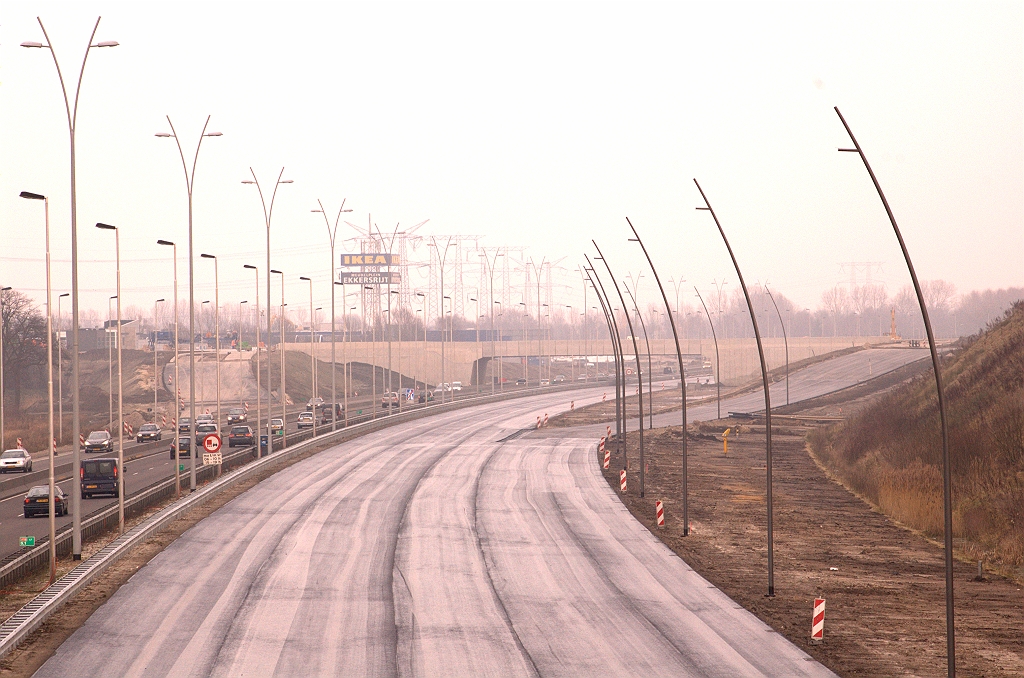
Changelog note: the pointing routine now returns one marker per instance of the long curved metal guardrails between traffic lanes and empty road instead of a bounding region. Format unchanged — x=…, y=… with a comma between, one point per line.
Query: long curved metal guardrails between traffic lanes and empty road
x=35, y=613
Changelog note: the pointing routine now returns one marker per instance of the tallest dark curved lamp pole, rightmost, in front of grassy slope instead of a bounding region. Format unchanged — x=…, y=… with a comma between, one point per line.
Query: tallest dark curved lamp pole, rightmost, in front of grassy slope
x=948, y=516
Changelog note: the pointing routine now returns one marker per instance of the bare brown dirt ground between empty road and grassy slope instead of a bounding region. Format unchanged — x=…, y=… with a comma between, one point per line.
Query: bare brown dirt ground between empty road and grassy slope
x=884, y=585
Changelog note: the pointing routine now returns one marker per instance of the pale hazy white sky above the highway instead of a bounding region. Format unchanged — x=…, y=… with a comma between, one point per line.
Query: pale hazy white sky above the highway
x=540, y=125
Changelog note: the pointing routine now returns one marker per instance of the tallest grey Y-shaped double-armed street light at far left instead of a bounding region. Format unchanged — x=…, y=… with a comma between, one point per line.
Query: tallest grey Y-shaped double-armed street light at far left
x=72, y=112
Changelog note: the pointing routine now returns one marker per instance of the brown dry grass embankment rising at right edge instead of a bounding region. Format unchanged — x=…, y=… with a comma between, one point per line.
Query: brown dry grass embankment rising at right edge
x=891, y=453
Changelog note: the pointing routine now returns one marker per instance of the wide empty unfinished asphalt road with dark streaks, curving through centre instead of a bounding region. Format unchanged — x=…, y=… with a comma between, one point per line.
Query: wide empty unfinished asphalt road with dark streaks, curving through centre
x=434, y=548
